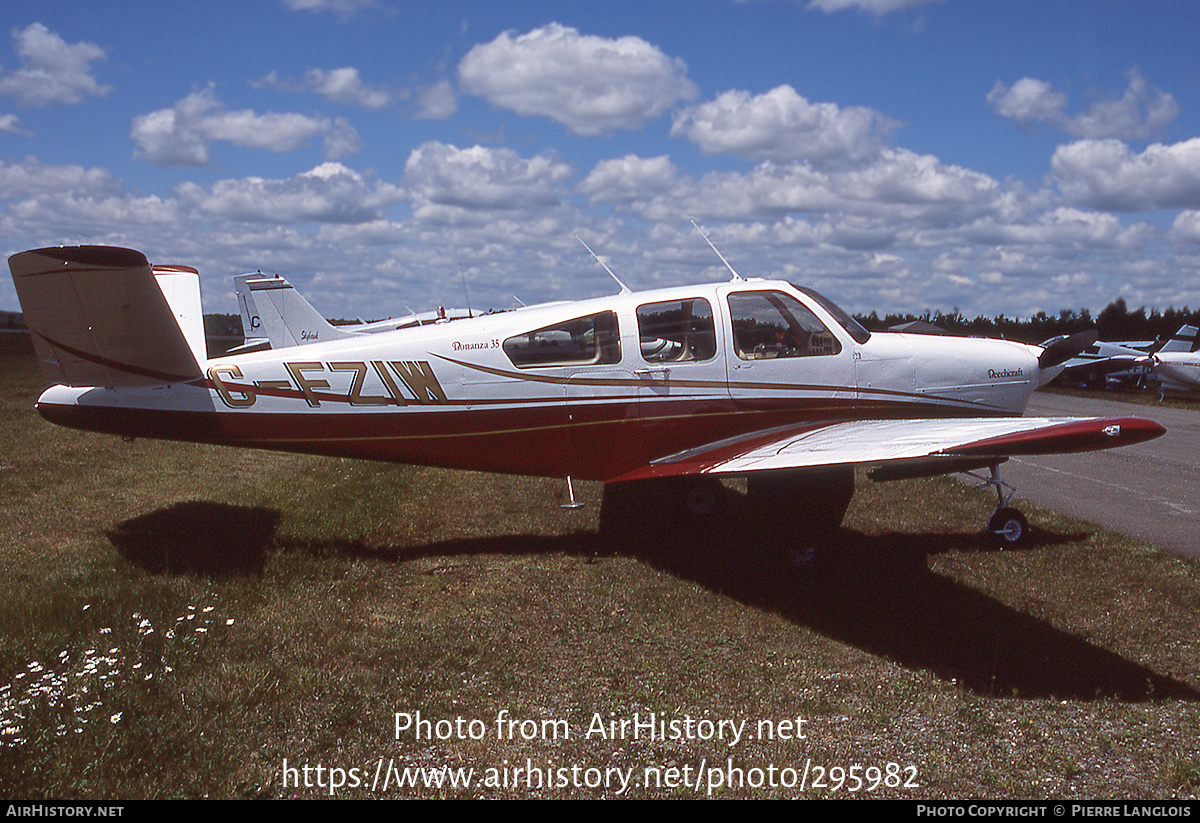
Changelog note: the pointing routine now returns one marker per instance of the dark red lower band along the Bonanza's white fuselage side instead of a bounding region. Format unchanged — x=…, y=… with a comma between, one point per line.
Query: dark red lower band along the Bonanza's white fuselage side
x=601, y=441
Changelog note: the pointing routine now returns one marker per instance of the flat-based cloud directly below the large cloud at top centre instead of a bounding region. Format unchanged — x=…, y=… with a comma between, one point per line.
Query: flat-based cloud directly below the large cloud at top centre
x=479, y=178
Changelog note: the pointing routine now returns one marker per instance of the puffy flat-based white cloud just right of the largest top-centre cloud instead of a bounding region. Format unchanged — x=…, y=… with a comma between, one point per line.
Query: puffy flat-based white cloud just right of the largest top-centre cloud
x=782, y=125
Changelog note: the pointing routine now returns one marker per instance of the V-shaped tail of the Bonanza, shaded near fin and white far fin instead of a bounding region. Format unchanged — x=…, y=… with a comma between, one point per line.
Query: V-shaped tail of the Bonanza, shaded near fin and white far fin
x=103, y=317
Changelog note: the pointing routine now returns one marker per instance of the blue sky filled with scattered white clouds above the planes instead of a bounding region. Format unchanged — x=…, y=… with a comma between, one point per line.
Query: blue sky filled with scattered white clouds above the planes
x=898, y=155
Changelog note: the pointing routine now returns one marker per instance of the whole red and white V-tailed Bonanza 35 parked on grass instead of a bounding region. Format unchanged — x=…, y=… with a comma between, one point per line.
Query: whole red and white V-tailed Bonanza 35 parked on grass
x=683, y=387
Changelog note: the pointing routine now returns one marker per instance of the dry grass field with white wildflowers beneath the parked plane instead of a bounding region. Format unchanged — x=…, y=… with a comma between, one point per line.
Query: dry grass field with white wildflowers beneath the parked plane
x=182, y=621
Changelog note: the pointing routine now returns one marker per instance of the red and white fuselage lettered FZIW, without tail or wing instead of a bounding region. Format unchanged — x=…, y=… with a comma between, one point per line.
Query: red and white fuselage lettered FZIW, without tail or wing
x=591, y=389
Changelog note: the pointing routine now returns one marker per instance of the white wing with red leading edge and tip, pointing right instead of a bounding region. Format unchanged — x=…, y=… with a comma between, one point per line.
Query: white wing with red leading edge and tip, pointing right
x=902, y=448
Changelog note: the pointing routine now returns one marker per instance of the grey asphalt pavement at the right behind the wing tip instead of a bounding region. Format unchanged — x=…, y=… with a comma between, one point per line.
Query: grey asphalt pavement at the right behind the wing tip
x=1149, y=491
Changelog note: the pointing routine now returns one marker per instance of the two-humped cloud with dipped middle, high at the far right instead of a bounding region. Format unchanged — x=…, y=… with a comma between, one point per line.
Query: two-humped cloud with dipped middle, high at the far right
x=1141, y=112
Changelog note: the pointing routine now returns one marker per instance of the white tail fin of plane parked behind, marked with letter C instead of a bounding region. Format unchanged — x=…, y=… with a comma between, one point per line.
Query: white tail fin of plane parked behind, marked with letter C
x=272, y=309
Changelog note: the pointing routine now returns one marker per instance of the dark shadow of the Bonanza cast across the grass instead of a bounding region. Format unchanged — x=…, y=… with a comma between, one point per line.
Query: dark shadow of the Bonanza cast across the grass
x=873, y=592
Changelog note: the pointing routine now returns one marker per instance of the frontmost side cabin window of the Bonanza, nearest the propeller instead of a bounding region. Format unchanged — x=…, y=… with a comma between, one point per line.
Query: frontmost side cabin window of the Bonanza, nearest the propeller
x=772, y=325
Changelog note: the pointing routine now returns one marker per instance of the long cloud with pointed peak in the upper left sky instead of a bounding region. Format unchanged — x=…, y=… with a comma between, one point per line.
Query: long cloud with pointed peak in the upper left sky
x=181, y=136
